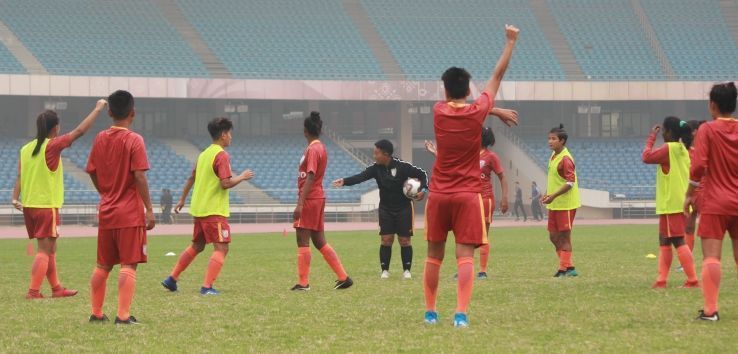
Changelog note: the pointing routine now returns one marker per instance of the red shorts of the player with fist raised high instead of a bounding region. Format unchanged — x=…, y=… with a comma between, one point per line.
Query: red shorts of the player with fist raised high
x=462, y=213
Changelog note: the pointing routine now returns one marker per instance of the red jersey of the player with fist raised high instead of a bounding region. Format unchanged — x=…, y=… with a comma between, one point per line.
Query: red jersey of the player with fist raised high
x=458, y=131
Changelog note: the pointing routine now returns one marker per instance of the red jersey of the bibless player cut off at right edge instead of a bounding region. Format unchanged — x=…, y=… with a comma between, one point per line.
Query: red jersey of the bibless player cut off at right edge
x=715, y=166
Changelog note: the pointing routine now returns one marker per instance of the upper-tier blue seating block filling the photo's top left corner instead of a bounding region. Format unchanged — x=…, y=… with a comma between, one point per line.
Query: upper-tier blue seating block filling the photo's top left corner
x=112, y=38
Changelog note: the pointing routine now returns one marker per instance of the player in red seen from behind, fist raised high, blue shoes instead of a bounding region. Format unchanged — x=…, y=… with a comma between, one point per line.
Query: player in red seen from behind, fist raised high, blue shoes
x=455, y=202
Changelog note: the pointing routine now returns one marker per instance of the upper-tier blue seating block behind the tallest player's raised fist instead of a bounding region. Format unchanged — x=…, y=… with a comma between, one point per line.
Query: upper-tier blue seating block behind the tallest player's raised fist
x=424, y=46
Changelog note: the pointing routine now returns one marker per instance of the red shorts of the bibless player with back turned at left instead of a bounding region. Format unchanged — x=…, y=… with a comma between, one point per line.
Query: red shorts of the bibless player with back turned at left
x=121, y=246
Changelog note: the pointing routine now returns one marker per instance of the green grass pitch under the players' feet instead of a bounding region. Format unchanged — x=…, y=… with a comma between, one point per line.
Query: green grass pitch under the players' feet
x=609, y=307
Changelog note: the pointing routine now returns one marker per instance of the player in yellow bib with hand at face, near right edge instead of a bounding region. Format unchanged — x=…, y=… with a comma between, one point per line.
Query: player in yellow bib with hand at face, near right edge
x=672, y=178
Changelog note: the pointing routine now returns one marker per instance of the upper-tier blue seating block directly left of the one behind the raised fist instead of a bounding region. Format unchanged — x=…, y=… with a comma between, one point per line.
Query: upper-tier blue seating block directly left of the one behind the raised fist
x=252, y=39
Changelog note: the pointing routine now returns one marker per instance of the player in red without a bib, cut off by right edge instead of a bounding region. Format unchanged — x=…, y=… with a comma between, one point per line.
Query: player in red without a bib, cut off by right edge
x=715, y=168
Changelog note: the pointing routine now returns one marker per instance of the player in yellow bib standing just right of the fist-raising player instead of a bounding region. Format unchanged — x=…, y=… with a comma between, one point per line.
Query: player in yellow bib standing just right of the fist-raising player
x=561, y=199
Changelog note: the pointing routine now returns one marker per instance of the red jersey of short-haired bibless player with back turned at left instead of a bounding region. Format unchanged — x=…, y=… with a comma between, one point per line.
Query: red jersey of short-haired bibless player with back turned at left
x=116, y=154
